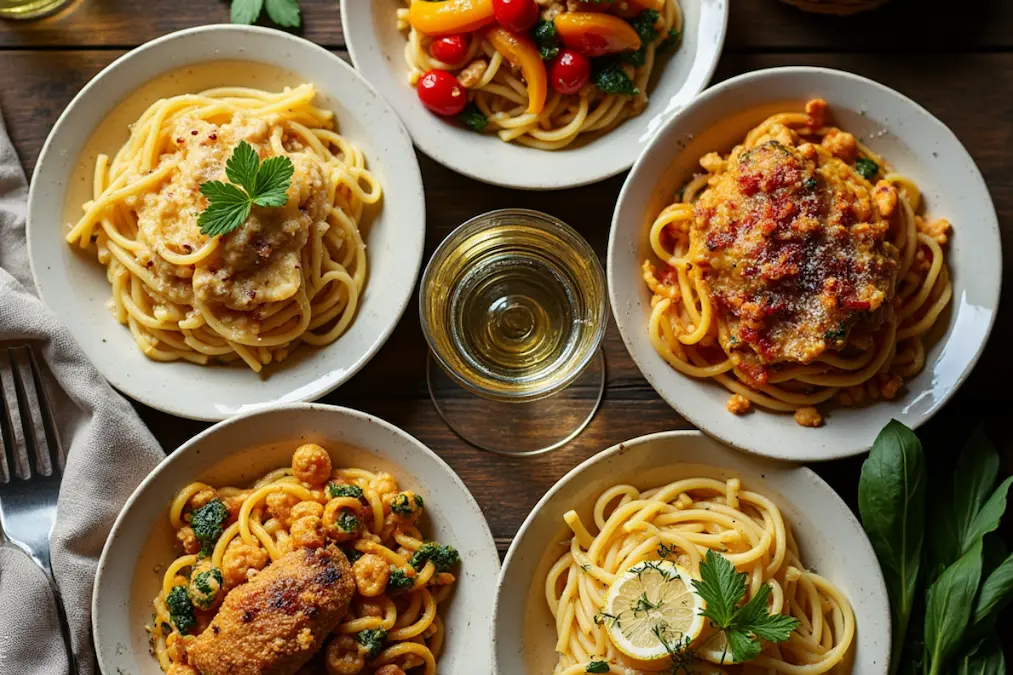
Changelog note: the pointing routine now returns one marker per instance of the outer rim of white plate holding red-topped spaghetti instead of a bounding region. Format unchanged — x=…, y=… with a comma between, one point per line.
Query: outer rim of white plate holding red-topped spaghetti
x=720, y=90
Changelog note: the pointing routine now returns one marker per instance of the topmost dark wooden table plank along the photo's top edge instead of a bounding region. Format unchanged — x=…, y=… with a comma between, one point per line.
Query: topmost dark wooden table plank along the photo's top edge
x=902, y=26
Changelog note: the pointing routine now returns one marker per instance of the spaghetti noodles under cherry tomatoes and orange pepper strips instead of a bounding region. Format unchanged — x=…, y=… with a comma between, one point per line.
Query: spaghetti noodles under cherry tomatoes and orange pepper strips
x=507, y=81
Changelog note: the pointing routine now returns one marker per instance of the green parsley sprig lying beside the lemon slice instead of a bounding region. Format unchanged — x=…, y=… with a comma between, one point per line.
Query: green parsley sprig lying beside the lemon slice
x=723, y=589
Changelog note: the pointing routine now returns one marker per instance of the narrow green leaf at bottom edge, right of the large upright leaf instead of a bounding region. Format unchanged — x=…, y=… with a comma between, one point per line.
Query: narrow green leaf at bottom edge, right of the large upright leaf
x=949, y=605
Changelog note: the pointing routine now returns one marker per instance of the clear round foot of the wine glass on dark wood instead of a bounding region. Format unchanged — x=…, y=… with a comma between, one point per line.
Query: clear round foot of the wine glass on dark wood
x=518, y=429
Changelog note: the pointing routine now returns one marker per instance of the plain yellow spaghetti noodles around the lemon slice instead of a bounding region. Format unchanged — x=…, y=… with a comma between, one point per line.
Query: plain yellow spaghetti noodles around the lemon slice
x=682, y=521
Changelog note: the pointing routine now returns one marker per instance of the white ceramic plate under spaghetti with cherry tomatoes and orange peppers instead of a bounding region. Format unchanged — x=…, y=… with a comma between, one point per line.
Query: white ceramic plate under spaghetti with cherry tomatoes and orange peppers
x=377, y=49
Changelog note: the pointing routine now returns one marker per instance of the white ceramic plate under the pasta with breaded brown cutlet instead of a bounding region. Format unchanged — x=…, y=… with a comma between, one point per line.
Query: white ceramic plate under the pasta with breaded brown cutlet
x=241, y=451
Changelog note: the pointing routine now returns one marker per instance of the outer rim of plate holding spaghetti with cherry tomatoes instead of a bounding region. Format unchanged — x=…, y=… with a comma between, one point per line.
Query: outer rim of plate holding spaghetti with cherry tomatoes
x=427, y=144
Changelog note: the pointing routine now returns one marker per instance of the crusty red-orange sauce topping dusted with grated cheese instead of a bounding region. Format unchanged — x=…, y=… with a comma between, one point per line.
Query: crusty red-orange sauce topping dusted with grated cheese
x=794, y=254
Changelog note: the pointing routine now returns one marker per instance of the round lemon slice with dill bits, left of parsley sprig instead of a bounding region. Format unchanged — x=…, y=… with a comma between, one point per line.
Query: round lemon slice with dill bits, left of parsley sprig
x=653, y=606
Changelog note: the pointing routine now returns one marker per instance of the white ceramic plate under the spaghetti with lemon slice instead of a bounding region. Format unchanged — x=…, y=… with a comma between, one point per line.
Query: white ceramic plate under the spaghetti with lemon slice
x=831, y=542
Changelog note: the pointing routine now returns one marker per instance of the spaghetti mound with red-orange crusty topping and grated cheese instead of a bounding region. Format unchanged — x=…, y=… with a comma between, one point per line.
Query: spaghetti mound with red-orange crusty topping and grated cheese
x=798, y=270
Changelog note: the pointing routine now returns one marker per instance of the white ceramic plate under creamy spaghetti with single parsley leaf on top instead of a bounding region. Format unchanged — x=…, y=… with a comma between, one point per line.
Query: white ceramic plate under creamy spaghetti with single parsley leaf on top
x=75, y=286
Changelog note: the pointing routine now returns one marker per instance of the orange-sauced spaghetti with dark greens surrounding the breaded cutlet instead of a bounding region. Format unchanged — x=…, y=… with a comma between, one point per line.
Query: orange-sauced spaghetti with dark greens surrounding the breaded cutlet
x=401, y=578
